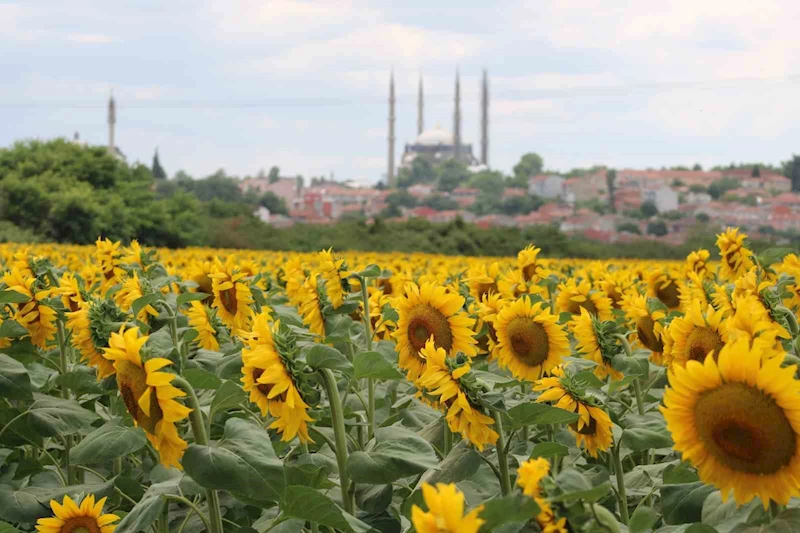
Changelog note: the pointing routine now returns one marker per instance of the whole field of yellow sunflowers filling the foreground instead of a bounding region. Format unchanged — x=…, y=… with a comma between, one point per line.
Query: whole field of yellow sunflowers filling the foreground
x=200, y=390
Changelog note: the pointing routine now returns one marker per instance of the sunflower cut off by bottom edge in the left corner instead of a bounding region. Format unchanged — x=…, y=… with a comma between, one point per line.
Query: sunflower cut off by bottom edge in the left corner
x=69, y=517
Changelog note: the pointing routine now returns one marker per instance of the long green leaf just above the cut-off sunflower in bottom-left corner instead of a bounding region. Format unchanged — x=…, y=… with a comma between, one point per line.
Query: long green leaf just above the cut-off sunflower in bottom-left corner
x=31, y=503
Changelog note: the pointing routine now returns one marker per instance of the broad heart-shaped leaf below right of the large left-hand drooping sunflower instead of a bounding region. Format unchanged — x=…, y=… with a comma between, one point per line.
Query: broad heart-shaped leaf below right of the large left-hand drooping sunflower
x=243, y=462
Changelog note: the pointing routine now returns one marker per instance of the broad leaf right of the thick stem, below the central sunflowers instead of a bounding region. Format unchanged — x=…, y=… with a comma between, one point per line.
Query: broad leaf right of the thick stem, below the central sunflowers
x=398, y=453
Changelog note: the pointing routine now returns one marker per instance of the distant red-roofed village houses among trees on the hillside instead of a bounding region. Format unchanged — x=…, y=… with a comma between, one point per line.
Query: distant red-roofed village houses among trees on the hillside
x=679, y=199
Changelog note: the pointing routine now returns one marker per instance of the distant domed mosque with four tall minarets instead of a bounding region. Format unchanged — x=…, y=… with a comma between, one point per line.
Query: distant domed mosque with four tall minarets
x=437, y=144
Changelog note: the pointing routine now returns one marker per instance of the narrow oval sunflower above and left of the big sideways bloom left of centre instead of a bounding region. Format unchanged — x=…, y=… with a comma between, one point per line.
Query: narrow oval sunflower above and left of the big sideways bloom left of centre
x=232, y=296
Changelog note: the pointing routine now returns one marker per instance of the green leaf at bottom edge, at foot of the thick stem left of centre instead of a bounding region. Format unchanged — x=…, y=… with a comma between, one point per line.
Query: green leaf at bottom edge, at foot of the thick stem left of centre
x=311, y=505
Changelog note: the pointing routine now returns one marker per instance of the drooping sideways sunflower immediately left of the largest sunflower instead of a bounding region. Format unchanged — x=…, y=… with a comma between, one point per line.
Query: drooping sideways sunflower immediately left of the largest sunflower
x=593, y=427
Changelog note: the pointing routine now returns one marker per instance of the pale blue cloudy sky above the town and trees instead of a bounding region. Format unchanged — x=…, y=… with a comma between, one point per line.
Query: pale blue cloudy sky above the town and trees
x=246, y=85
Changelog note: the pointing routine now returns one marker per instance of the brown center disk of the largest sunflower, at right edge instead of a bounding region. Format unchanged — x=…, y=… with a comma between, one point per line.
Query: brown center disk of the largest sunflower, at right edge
x=745, y=429
